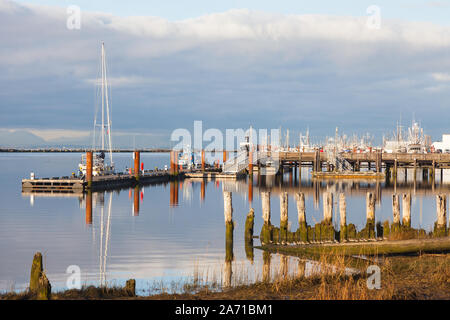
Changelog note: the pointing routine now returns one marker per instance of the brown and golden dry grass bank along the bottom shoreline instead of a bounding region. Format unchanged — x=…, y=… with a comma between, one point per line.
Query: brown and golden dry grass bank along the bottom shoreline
x=424, y=276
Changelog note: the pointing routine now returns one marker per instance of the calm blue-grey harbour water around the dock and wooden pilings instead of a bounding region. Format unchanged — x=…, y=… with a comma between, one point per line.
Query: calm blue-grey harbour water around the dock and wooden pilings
x=168, y=240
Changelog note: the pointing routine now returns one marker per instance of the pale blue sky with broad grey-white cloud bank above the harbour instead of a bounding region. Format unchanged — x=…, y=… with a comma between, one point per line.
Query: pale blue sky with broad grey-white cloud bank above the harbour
x=232, y=64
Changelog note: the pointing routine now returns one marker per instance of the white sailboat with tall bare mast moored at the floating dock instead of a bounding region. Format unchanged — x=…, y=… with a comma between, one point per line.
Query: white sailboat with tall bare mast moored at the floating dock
x=99, y=167
